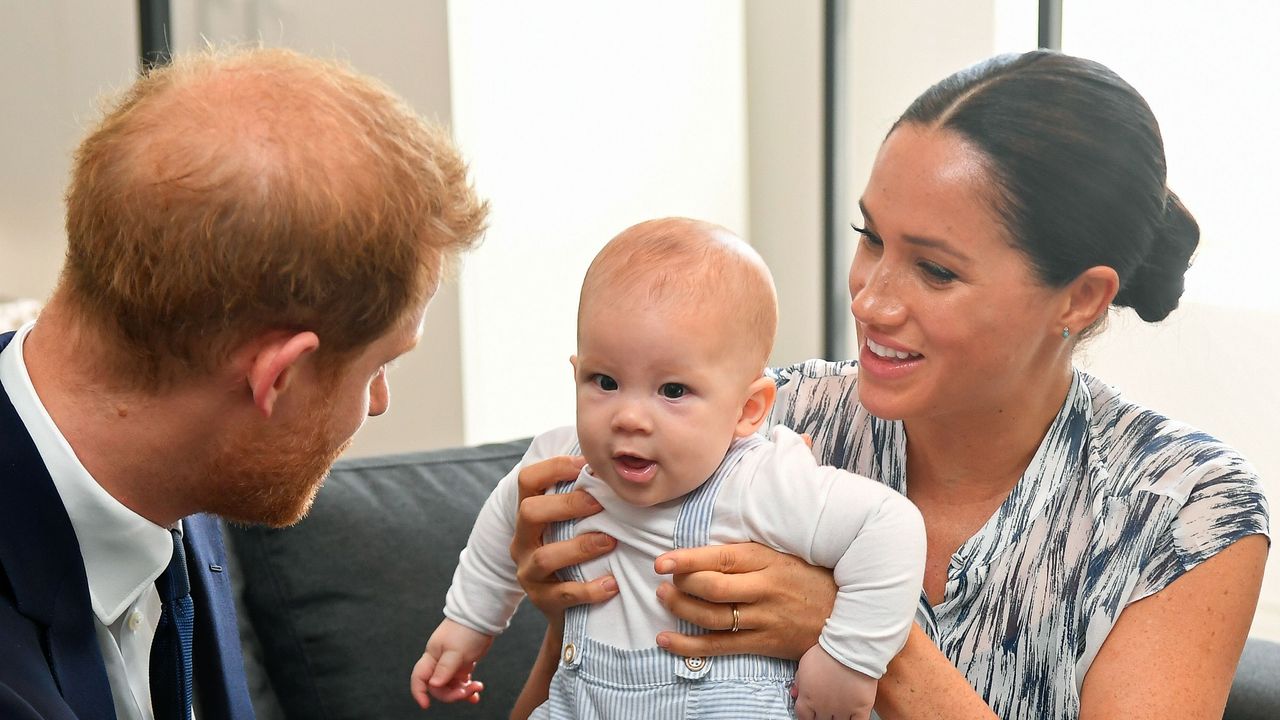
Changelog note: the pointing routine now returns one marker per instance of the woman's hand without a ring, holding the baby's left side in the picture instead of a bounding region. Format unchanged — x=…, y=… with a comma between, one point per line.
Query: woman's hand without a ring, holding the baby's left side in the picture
x=537, y=563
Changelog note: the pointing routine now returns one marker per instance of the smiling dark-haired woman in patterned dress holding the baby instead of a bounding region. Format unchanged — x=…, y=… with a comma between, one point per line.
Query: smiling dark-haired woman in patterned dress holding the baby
x=1087, y=558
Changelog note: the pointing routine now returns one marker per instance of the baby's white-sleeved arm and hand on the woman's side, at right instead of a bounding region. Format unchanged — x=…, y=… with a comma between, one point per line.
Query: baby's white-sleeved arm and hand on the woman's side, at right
x=871, y=536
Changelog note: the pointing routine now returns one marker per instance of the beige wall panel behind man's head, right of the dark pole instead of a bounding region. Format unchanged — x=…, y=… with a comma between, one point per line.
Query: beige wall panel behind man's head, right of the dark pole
x=404, y=44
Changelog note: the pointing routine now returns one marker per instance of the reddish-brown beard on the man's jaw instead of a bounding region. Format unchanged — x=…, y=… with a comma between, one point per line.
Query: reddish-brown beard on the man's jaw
x=272, y=481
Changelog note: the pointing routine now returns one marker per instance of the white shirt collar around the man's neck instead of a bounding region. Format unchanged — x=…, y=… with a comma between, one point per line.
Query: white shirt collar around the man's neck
x=124, y=552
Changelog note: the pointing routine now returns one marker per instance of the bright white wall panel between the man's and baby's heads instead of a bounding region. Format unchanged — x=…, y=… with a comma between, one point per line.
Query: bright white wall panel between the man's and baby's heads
x=580, y=119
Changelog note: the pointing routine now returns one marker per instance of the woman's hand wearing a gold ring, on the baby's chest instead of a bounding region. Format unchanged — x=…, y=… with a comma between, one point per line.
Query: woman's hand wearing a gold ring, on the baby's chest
x=781, y=601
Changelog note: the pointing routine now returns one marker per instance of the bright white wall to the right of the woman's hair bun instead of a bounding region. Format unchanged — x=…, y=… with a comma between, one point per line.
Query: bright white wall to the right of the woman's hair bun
x=1214, y=94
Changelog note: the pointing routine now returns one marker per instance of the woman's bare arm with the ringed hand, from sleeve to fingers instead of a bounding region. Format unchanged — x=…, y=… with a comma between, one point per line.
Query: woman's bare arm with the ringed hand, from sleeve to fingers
x=1172, y=655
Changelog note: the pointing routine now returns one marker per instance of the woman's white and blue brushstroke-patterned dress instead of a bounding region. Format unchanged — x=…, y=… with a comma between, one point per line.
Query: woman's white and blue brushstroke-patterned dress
x=1117, y=504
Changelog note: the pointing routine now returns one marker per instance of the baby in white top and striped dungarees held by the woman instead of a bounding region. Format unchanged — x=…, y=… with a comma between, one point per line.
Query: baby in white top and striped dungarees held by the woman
x=676, y=322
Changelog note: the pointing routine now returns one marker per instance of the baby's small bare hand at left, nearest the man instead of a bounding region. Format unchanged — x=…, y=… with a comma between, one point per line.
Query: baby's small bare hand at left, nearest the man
x=445, y=671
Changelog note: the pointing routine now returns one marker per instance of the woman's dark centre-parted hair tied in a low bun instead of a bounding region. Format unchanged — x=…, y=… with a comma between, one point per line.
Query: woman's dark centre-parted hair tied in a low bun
x=1080, y=168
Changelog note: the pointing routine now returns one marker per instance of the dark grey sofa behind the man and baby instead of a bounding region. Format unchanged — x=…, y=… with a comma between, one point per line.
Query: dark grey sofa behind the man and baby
x=335, y=610
